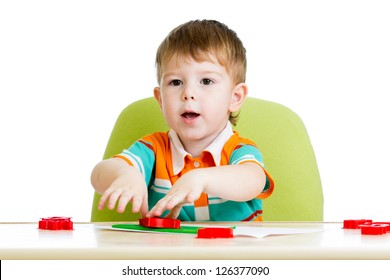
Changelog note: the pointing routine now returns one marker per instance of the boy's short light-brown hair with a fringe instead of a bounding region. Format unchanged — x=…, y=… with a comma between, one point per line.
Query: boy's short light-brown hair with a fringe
x=198, y=39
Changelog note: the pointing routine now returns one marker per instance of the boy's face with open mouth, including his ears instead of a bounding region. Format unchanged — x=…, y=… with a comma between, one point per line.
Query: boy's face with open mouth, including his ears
x=197, y=98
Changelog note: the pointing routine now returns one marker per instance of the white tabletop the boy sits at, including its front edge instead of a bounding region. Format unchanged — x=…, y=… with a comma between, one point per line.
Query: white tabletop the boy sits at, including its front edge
x=94, y=241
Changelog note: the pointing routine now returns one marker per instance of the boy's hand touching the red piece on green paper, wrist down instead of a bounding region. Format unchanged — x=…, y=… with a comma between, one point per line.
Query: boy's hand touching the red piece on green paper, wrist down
x=187, y=189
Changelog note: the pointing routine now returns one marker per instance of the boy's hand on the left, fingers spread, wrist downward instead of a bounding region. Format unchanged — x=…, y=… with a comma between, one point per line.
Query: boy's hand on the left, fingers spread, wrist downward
x=122, y=191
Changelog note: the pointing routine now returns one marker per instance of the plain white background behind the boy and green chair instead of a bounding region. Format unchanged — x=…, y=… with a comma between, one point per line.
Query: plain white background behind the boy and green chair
x=67, y=69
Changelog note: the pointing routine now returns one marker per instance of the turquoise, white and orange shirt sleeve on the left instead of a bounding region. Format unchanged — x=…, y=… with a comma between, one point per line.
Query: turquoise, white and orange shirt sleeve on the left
x=140, y=155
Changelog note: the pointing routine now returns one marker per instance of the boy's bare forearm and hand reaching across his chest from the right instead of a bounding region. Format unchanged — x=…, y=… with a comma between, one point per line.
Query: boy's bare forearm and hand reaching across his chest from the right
x=241, y=182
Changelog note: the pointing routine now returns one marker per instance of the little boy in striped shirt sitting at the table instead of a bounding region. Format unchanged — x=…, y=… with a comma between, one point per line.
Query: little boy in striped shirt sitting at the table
x=200, y=170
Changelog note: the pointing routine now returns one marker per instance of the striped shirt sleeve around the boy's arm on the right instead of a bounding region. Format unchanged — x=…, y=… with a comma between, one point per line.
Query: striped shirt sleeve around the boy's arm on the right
x=250, y=153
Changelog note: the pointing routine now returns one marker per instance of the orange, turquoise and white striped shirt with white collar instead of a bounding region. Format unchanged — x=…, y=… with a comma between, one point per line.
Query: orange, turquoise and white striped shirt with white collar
x=161, y=158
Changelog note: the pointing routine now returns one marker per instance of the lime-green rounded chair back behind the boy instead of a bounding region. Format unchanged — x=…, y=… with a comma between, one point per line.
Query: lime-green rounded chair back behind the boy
x=279, y=133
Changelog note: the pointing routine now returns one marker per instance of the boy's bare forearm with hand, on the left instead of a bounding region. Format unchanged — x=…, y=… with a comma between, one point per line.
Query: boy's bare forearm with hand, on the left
x=120, y=182
